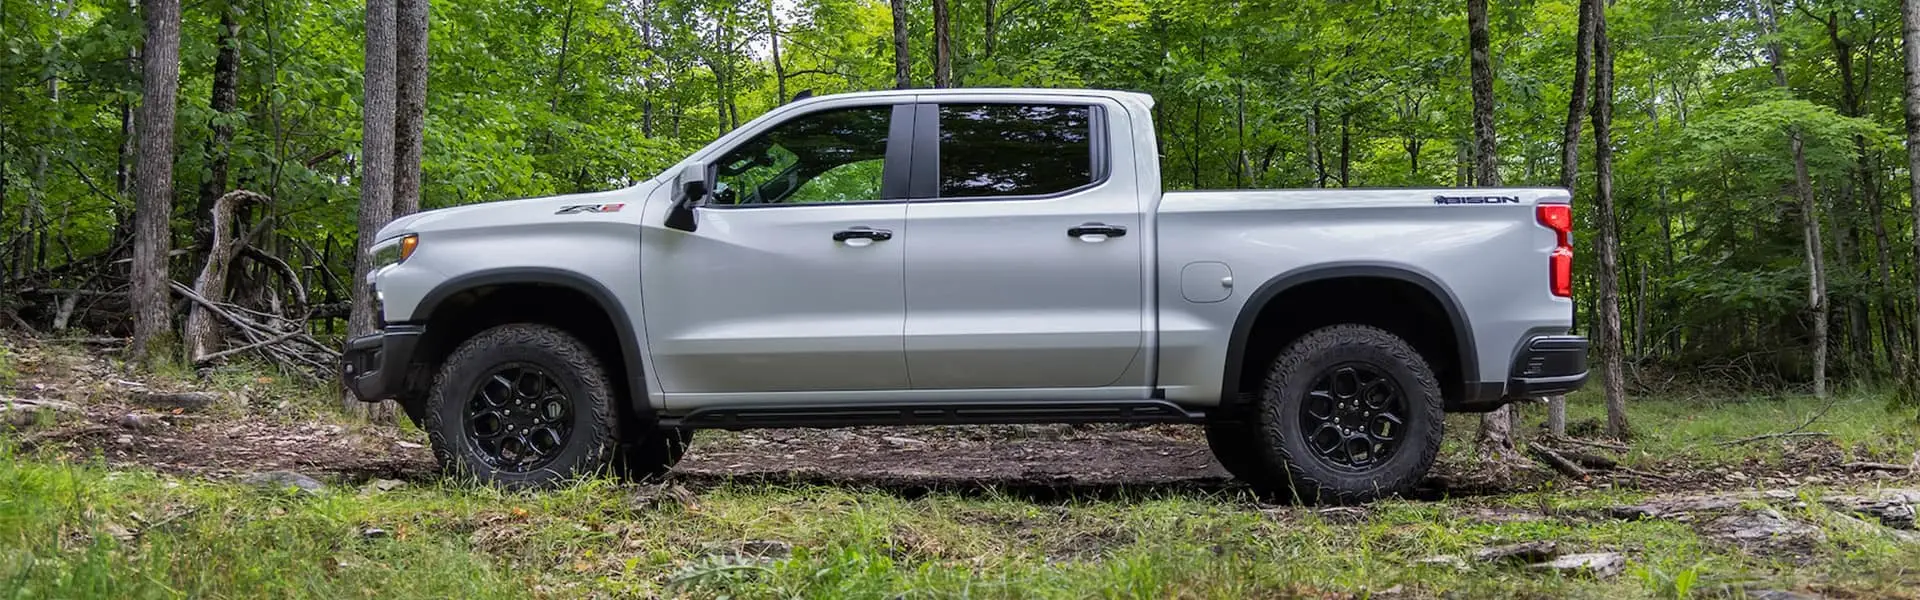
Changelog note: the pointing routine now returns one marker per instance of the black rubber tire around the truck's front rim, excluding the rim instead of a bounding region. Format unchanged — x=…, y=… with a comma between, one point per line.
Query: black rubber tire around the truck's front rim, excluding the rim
x=571, y=364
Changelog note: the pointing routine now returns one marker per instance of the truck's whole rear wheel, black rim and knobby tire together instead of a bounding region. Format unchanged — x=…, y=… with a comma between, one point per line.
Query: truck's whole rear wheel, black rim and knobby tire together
x=1349, y=414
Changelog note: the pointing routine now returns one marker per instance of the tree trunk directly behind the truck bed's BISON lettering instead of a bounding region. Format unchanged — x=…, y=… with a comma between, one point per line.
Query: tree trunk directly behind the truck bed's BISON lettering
x=1497, y=428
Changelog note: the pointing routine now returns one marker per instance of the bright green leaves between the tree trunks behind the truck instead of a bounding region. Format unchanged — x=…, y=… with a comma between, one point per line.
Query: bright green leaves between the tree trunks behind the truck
x=533, y=99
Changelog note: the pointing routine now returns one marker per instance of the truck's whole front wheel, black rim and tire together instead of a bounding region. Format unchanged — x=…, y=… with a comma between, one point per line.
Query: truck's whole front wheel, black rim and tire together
x=523, y=407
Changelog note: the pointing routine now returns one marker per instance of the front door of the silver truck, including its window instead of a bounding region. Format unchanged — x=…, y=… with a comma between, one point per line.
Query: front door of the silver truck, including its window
x=792, y=280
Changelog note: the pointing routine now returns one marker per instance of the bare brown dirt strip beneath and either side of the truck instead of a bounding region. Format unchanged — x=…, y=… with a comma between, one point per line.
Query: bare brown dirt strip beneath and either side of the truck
x=239, y=436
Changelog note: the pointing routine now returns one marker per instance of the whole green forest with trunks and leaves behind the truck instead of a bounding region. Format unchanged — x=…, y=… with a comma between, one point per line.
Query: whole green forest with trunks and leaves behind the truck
x=1739, y=166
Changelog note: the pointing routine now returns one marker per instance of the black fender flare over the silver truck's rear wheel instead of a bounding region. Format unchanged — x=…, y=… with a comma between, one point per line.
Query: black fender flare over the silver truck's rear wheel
x=1243, y=326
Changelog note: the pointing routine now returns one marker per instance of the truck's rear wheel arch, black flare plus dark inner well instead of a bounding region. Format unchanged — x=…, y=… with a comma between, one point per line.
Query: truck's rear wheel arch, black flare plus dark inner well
x=1466, y=370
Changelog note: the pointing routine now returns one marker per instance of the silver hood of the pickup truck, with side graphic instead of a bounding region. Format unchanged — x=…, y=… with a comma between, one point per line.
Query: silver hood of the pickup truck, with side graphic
x=521, y=212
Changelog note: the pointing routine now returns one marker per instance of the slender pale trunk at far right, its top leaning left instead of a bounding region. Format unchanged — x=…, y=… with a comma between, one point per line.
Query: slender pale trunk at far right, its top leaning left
x=1810, y=211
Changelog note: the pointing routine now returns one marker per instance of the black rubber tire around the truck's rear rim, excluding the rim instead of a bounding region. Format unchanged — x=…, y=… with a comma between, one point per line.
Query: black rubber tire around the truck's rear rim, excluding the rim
x=1289, y=459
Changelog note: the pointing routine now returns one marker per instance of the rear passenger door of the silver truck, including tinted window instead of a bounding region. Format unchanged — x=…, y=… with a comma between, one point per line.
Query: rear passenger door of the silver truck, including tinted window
x=1026, y=261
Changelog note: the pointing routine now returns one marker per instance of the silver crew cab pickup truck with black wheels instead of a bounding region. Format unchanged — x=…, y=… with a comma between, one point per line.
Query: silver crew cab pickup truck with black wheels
x=969, y=257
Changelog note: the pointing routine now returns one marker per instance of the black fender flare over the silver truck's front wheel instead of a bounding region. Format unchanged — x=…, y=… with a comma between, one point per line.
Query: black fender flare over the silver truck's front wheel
x=564, y=280
